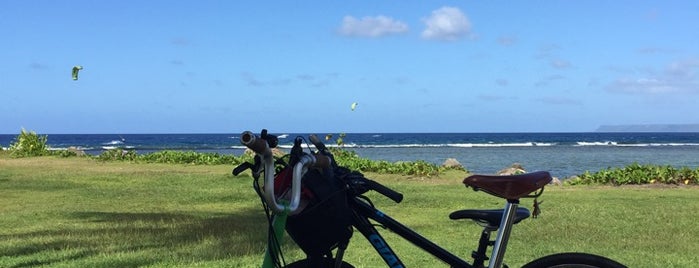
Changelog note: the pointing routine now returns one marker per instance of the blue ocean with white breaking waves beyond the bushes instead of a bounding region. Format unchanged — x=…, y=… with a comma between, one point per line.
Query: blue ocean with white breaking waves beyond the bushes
x=562, y=154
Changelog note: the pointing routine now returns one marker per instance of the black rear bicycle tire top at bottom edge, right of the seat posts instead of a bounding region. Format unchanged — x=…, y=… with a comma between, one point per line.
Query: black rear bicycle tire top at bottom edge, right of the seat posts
x=573, y=260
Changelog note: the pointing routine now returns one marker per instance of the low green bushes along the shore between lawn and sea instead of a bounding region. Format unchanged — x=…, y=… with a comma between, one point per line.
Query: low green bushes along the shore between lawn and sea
x=28, y=144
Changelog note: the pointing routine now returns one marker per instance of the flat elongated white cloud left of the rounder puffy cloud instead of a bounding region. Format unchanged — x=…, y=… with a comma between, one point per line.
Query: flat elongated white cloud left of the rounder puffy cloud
x=371, y=26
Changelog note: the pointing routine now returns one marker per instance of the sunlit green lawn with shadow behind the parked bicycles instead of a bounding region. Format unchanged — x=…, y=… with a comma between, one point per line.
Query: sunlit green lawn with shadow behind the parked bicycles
x=79, y=212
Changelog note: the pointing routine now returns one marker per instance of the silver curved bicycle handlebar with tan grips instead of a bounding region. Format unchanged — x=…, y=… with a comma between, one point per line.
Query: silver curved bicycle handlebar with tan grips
x=261, y=148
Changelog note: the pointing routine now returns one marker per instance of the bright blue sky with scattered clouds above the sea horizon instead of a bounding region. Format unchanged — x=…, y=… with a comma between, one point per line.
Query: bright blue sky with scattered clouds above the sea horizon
x=297, y=66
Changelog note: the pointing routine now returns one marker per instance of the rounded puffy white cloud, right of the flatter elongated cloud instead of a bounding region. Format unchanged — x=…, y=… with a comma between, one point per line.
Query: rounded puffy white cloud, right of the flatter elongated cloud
x=446, y=23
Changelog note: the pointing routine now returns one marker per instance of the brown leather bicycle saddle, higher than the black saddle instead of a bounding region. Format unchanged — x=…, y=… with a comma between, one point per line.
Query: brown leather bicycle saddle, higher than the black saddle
x=511, y=187
